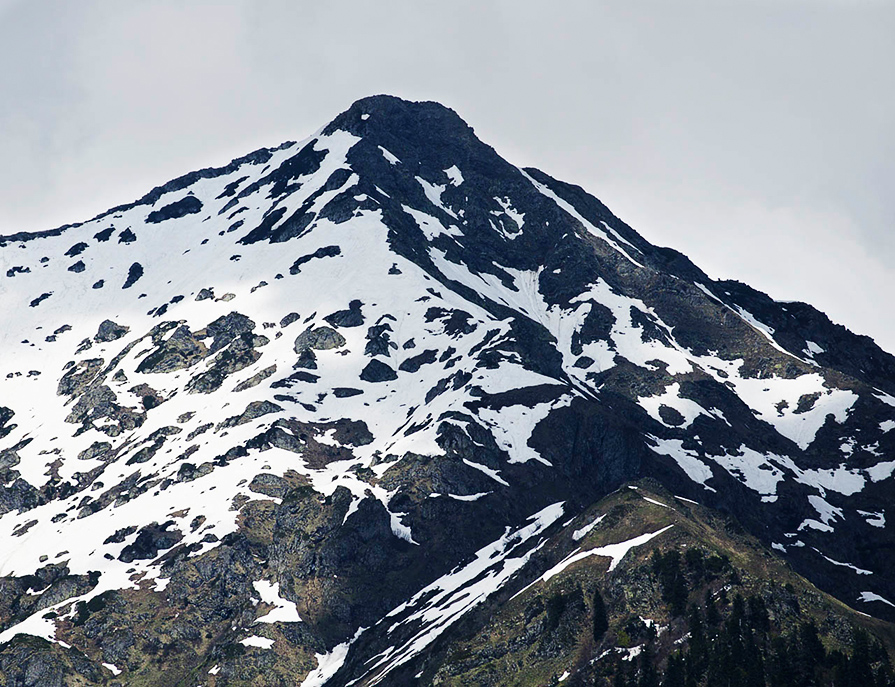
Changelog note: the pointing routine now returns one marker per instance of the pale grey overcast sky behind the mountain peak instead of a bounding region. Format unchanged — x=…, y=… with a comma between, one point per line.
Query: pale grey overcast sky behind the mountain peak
x=757, y=137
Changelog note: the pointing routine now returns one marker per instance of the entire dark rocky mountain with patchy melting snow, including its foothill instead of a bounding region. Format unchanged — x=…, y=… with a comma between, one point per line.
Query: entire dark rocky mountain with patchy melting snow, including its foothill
x=328, y=414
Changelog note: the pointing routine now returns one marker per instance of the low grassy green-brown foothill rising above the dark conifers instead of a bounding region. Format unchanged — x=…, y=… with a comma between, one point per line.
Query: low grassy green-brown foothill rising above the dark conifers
x=547, y=631
